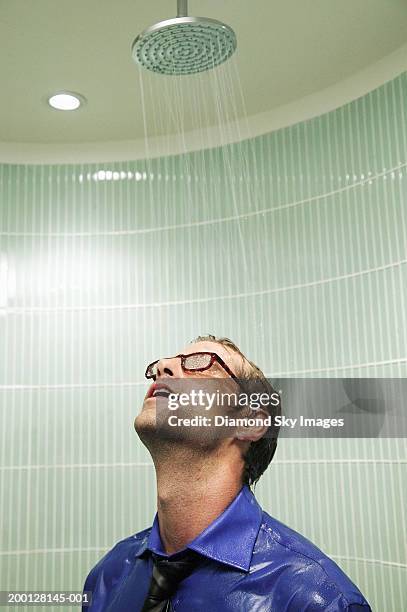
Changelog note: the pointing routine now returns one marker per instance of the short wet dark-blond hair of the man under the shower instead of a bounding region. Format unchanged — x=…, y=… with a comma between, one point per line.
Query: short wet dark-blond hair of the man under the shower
x=261, y=452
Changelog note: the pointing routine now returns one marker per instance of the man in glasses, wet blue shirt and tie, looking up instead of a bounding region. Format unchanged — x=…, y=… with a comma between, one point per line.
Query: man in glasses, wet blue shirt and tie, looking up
x=211, y=547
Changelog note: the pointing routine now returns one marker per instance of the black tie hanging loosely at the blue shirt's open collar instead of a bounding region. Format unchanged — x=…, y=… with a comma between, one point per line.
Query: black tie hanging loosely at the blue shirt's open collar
x=167, y=574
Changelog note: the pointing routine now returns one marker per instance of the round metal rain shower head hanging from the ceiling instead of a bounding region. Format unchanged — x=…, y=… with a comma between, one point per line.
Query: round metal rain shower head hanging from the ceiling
x=184, y=45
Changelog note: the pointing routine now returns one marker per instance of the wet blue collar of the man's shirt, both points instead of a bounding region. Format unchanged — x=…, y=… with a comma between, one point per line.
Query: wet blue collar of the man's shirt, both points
x=230, y=538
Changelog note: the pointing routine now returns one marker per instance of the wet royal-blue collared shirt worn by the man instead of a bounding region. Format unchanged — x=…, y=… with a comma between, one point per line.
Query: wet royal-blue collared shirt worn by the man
x=251, y=562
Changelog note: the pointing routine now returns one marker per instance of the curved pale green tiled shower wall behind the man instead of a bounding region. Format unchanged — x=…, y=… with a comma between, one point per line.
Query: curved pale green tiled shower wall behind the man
x=293, y=244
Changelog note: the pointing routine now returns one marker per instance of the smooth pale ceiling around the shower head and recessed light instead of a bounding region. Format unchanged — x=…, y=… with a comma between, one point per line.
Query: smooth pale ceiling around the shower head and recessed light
x=287, y=49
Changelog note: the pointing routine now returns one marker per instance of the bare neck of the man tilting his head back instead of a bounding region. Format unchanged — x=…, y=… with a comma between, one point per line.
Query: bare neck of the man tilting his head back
x=192, y=491
